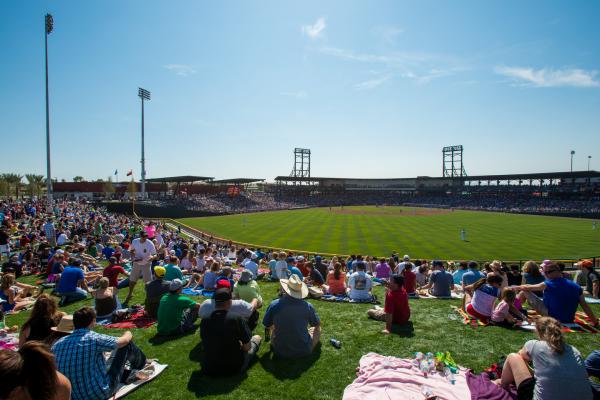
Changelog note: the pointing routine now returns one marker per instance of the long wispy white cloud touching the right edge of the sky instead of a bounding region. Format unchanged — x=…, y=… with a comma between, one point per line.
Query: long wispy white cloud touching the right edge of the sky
x=568, y=77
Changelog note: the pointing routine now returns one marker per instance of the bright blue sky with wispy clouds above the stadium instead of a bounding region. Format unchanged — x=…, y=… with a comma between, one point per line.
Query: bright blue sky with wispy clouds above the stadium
x=373, y=88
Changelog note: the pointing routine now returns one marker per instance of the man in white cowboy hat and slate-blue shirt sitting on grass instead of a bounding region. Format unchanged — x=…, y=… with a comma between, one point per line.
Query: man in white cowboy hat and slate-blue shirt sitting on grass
x=289, y=319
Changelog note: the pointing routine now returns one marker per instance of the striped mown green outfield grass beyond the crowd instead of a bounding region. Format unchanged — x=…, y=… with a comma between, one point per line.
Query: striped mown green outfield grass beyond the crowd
x=414, y=231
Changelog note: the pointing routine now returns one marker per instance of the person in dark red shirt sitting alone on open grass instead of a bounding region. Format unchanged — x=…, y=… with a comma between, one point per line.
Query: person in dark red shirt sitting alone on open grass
x=396, y=311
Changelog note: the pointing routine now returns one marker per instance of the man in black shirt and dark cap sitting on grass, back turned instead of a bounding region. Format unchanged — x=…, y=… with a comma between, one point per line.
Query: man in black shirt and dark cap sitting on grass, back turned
x=226, y=338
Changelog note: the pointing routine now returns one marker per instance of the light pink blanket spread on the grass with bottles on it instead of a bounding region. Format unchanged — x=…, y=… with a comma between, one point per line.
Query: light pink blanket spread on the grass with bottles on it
x=387, y=378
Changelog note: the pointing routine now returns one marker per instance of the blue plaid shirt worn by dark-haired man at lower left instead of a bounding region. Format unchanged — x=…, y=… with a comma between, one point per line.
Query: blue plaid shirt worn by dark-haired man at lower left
x=80, y=358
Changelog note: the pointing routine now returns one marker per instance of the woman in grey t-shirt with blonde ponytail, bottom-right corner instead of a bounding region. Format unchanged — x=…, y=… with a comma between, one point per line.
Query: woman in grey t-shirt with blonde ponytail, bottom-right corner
x=558, y=370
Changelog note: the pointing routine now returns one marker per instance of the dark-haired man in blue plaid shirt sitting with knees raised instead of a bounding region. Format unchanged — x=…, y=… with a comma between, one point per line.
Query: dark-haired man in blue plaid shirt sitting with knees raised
x=80, y=357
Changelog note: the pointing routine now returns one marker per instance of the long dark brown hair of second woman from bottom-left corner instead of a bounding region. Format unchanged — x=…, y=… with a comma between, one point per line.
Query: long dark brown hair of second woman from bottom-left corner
x=38, y=370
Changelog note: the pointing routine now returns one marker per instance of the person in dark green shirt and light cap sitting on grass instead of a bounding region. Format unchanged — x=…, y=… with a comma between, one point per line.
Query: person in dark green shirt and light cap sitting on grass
x=176, y=313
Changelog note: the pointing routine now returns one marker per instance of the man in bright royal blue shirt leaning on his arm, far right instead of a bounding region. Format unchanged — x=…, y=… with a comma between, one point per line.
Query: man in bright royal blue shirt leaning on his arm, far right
x=561, y=297
